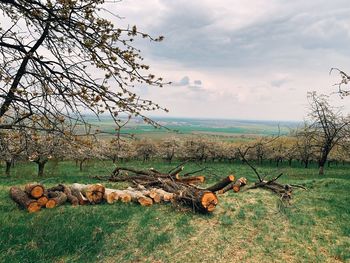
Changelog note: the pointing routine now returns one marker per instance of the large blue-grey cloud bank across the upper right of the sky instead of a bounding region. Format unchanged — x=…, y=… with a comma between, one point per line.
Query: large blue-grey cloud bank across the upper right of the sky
x=291, y=35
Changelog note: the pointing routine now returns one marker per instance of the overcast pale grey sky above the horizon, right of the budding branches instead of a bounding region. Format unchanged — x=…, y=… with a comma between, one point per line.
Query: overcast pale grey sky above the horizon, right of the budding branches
x=254, y=59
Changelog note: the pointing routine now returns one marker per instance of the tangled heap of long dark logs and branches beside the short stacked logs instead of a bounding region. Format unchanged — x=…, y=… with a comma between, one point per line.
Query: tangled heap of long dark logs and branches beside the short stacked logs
x=172, y=186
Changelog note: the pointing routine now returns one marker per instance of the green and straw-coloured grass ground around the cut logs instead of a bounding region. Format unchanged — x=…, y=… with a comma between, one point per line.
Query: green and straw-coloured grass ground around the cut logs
x=250, y=226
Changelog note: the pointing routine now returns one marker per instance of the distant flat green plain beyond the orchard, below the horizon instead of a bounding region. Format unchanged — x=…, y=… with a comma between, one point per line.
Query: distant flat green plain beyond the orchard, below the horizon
x=182, y=127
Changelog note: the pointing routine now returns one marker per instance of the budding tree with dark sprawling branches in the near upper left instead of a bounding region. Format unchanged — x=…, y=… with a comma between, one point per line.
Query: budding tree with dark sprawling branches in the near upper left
x=58, y=57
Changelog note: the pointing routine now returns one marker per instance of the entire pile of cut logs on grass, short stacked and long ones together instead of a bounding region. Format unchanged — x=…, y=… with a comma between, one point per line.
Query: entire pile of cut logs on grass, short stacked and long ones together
x=146, y=190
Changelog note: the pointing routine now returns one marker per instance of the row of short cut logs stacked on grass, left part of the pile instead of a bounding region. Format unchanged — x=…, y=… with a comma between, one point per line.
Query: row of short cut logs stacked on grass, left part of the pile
x=35, y=196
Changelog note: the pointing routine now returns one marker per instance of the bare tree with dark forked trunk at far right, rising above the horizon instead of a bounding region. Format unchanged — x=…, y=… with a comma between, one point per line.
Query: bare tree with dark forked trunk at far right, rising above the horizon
x=329, y=124
